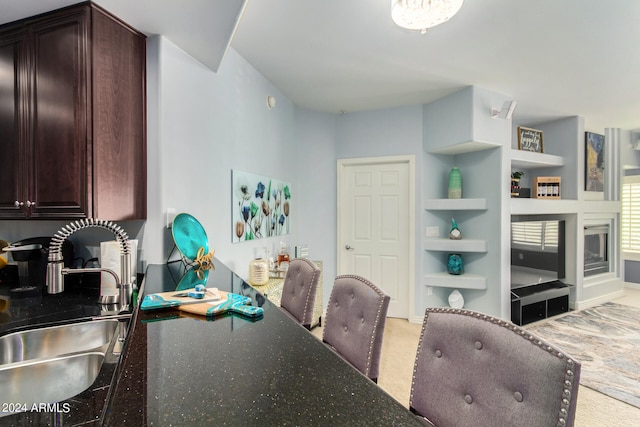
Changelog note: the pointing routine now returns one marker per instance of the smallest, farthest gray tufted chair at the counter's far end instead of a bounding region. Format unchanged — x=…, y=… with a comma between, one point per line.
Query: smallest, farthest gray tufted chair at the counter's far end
x=299, y=290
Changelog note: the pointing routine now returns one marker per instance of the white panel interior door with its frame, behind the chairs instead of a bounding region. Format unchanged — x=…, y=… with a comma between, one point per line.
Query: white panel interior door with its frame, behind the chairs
x=375, y=225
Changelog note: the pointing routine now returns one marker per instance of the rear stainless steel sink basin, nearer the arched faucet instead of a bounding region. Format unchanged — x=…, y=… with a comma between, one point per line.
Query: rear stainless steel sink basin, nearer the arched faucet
x=56, y=340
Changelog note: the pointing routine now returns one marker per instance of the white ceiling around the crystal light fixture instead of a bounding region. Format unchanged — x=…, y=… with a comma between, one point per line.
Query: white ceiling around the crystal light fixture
x=555, y=58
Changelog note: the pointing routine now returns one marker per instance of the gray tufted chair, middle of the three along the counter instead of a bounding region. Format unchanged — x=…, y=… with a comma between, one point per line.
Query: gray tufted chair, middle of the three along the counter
x=354, y=322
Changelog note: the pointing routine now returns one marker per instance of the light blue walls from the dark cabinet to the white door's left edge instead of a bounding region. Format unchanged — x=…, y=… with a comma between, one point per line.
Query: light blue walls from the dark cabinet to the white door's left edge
x=208, y=124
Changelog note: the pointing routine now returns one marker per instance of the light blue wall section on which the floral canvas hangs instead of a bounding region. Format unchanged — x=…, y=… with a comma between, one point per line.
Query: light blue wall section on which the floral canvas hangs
x=207, y=125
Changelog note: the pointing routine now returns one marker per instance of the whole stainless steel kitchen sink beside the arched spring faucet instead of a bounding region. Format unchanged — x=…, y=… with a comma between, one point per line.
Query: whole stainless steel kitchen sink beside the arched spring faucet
x=53, y=364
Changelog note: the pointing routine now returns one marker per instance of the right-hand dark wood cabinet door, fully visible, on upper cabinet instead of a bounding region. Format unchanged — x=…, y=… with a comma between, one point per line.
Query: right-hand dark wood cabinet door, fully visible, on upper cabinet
x=59, y=162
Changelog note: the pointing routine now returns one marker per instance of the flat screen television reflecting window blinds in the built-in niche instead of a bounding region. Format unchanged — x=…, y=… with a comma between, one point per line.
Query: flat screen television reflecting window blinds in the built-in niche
x=537, y=252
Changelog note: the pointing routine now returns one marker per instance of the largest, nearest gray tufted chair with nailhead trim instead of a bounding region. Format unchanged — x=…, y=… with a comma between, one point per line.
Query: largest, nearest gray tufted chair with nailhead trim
x=475, y=369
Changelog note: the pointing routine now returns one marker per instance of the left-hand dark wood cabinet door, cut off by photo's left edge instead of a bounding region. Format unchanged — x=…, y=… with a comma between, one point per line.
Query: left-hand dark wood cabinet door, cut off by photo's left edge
x=13, y=178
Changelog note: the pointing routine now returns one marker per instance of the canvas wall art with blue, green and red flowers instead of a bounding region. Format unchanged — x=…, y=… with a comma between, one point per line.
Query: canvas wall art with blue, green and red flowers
x=261, y=206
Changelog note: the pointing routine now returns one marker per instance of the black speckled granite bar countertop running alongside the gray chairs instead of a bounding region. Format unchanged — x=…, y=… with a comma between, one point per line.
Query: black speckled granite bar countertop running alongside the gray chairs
x=187, y=370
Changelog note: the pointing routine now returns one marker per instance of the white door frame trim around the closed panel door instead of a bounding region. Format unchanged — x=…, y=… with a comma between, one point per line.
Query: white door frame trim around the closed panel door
x=410, y=160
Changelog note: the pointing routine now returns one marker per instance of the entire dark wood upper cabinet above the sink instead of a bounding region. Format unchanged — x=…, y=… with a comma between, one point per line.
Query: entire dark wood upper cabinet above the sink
x=73, y=117
